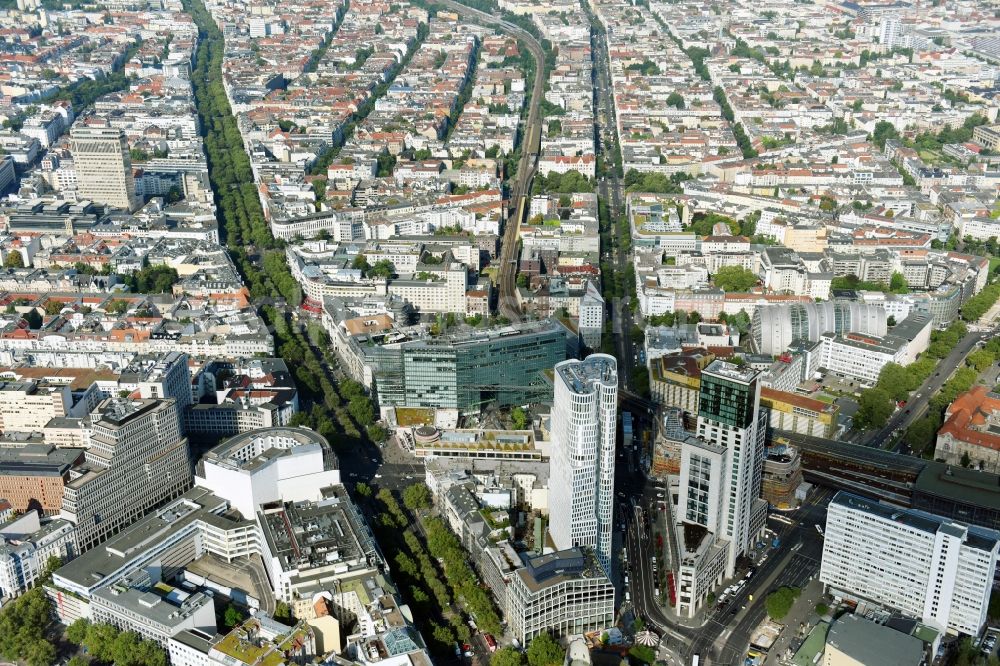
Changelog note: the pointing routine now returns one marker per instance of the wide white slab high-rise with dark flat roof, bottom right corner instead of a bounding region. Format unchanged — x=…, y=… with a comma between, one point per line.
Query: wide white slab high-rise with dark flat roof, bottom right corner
x=915, y=562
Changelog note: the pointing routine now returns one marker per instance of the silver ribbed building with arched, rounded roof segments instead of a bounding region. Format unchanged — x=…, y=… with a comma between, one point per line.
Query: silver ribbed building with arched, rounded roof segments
x=776, y=326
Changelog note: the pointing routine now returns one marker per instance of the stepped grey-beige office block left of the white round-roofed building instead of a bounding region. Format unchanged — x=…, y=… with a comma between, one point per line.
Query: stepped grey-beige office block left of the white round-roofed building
x=137, y=459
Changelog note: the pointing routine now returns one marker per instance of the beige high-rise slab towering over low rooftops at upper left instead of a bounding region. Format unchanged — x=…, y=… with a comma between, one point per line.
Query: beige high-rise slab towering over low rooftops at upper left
x=103, y=167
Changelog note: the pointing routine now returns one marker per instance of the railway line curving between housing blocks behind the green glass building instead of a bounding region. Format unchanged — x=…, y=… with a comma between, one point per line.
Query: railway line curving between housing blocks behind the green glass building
x=521, y=188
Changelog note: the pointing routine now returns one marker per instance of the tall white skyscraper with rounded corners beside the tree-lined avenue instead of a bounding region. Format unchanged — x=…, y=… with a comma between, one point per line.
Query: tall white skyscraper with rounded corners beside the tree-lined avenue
x=582, y=468
